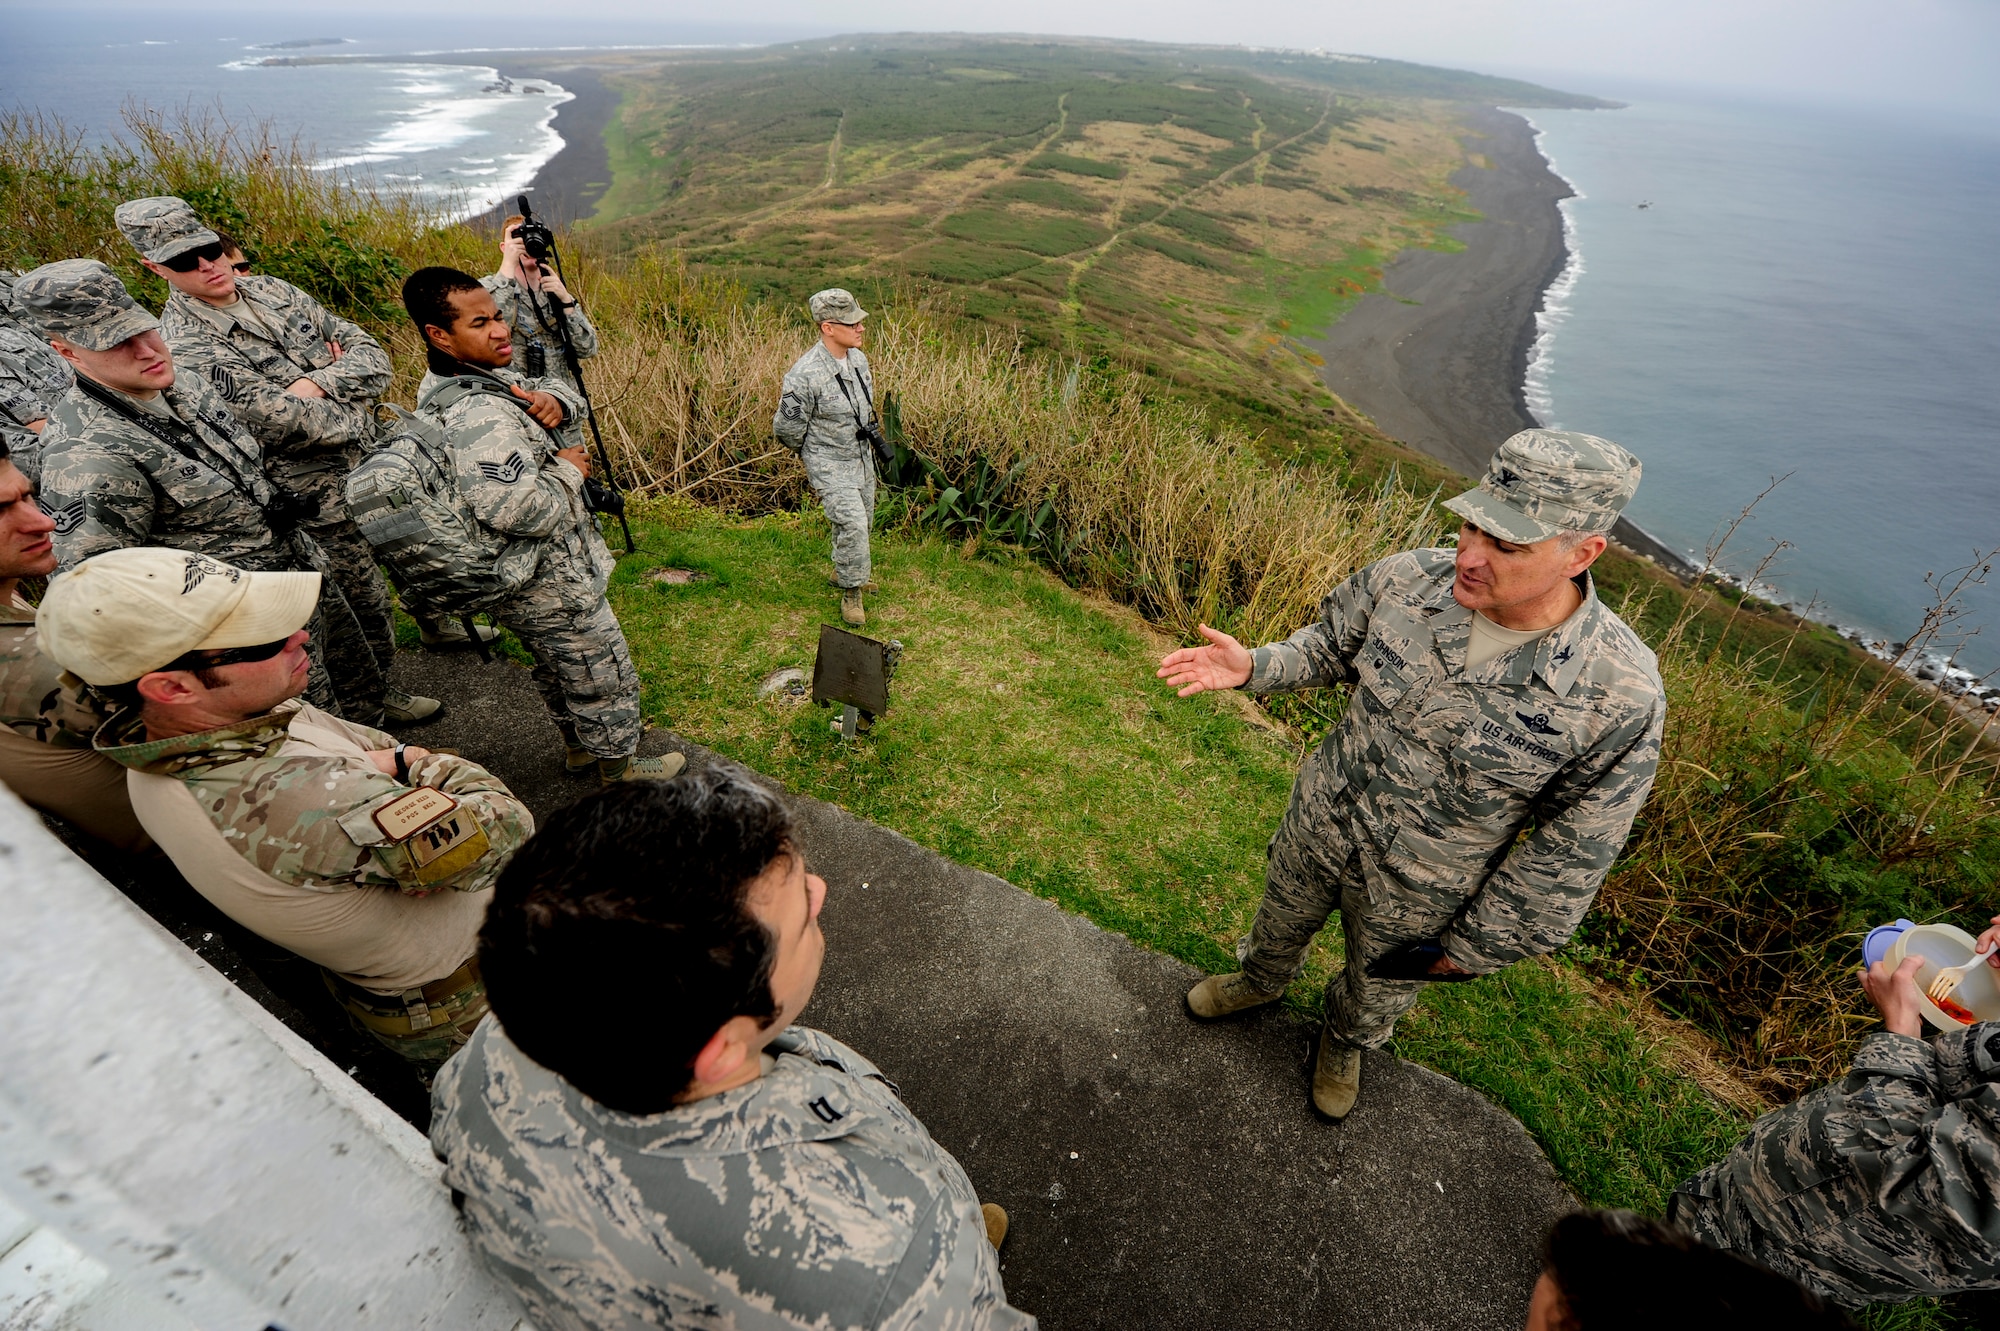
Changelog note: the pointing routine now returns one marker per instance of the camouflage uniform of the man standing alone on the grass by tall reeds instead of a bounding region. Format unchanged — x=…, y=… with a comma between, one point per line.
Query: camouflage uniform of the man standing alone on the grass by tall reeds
x=819, y=413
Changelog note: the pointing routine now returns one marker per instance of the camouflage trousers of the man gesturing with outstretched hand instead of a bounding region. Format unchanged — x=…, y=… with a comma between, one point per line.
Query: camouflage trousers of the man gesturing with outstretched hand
x=1313, y=866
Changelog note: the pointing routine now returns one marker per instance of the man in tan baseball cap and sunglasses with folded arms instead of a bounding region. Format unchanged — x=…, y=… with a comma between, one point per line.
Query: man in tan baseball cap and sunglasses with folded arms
x=327, y=838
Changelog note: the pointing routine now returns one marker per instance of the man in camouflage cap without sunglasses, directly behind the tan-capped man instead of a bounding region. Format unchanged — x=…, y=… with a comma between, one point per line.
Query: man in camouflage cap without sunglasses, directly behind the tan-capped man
x=137, y=457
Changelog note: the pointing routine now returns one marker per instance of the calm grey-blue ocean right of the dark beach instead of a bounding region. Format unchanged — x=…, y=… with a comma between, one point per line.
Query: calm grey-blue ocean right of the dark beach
x=1811, y=295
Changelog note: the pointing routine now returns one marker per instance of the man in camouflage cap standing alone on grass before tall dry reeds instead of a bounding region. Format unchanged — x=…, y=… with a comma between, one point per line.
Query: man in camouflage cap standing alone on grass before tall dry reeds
x=827, y=417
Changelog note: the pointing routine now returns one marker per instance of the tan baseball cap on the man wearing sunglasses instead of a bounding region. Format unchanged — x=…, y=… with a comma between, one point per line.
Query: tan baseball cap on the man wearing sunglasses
x=125, y=613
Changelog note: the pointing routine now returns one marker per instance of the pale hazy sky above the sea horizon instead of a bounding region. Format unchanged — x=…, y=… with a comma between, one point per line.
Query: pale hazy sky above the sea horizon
x=1919, y=53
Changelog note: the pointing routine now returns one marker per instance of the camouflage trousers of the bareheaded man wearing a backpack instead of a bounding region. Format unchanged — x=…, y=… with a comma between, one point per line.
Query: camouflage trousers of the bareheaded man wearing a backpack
x=581, y=663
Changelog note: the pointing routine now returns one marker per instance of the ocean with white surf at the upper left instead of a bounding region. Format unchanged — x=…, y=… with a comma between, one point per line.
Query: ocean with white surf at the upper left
x=447, y=127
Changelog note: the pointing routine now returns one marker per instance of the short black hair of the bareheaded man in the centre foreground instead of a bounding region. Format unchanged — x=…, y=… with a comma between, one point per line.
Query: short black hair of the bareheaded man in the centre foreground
x=635, y=900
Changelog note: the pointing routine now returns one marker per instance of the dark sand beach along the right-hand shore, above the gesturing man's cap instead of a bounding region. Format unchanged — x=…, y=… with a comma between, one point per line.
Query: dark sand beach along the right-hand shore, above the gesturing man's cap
x=1439, y=357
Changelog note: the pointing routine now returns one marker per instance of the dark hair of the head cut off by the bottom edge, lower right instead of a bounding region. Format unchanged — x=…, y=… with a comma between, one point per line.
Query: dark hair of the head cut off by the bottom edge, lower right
x=1627, y=1272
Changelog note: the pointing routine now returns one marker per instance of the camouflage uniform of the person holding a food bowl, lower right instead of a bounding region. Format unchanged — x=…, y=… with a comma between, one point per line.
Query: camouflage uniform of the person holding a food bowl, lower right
x=1883, y=1186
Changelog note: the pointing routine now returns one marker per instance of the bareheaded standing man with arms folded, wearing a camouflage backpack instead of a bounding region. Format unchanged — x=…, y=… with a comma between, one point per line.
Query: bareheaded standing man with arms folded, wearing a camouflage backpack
x=525, y=485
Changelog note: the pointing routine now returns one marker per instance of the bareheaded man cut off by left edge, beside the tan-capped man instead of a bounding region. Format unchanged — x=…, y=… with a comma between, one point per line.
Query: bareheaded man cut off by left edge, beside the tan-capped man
x=45, y=724
